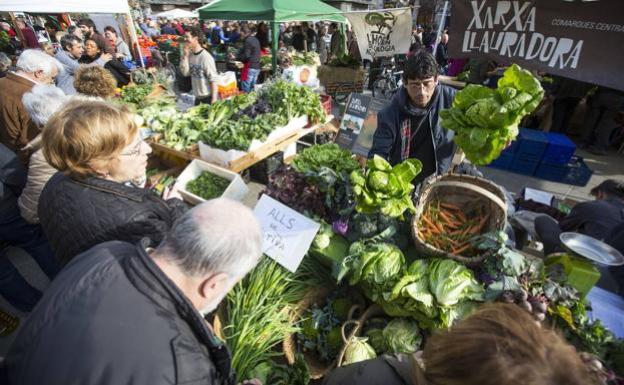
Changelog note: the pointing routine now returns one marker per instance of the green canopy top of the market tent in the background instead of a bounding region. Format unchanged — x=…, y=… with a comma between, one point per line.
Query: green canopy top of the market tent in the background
x=270, y=10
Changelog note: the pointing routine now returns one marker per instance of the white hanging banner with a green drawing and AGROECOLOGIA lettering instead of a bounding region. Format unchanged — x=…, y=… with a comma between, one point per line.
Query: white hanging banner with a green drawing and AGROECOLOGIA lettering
x=383, y=32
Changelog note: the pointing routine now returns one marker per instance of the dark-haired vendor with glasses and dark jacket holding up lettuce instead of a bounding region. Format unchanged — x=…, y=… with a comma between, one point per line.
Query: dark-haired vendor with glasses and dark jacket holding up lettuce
x=410, y=126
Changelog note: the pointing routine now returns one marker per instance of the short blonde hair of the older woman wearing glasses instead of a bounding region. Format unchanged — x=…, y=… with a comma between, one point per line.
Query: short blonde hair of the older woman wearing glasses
x=86, y=131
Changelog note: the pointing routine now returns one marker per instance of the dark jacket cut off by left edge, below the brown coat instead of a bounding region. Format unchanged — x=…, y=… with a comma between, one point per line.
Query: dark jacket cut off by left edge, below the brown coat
x=13, y=177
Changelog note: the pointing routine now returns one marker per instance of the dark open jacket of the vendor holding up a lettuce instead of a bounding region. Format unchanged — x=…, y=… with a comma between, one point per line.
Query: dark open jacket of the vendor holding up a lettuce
x=388, y=138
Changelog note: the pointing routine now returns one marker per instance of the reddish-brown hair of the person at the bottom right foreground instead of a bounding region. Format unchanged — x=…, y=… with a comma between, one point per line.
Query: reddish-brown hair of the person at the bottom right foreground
x=500, y=345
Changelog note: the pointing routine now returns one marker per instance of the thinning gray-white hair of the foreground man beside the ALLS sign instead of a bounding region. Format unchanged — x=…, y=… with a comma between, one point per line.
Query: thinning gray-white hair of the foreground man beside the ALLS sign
x=218, y=236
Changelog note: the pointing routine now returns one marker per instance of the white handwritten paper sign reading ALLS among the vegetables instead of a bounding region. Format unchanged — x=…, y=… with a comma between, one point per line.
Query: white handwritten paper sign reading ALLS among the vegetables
x=287, y=234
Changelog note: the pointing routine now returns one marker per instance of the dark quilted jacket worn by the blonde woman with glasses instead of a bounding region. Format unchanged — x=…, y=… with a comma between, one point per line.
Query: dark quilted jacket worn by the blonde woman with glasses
x=78, y=214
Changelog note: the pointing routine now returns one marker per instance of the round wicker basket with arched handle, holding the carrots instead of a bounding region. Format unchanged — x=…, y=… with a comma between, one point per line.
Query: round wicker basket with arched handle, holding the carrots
x=467, y=192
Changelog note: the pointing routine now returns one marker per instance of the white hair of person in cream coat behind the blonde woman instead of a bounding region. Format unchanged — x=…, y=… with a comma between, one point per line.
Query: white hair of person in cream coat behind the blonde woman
x=42, y=102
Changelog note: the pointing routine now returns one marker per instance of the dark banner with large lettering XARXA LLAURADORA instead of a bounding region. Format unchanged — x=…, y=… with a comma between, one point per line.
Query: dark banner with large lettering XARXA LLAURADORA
x=576, y=39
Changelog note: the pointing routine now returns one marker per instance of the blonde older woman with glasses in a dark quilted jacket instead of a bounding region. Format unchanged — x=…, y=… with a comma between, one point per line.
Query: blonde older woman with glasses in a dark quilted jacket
x=97, y=148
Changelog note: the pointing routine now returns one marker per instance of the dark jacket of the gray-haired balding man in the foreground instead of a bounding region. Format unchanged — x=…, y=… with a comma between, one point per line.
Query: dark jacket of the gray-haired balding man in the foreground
x=113, y=317
